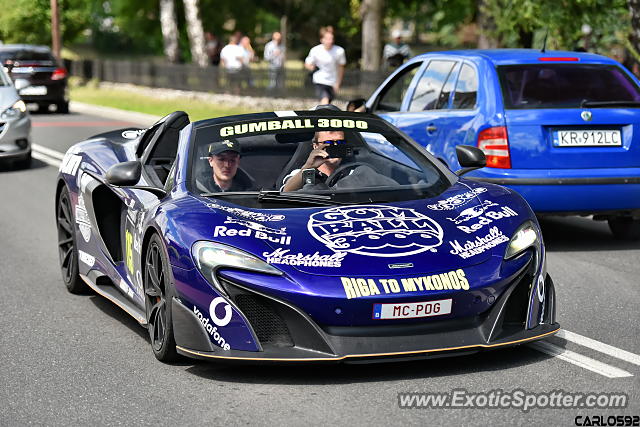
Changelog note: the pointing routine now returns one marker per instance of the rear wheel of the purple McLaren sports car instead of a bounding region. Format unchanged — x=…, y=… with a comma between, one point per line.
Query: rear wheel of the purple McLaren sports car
x=67, y=249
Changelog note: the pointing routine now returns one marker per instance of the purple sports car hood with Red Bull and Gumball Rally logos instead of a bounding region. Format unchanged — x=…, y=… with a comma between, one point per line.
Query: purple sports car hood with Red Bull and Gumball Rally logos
x=461, y=227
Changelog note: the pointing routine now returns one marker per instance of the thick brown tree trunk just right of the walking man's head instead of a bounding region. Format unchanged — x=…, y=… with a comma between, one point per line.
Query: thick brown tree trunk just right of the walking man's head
x=371, y=12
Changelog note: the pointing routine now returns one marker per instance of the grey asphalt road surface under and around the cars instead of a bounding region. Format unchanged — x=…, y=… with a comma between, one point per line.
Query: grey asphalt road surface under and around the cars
x=79, y=360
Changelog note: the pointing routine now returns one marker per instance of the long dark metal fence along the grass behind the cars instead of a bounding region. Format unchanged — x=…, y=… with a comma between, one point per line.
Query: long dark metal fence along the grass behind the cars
x=255, y=82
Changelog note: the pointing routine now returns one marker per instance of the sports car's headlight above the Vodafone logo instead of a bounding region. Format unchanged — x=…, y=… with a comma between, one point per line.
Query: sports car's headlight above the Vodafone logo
x=210, y=256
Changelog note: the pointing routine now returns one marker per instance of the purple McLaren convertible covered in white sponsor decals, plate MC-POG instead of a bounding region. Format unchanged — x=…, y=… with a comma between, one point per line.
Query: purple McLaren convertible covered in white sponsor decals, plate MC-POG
x=300, y=236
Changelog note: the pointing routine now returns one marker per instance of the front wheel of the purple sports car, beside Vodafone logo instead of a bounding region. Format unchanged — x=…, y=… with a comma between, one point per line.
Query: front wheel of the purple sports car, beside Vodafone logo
x=158, y=296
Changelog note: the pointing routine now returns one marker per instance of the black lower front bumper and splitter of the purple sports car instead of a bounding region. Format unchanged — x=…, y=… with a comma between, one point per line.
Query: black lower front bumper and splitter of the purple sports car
x=287, y=334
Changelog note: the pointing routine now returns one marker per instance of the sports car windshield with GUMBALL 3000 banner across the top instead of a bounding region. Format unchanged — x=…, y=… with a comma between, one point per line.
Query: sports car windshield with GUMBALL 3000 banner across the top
x=361, y=160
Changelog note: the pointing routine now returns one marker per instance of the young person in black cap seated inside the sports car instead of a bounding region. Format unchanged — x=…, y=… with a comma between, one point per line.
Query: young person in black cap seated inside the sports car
x=224, y=159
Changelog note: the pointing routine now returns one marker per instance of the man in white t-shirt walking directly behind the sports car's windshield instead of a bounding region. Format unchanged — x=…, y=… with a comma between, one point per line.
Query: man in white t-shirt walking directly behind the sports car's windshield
x=327, y=62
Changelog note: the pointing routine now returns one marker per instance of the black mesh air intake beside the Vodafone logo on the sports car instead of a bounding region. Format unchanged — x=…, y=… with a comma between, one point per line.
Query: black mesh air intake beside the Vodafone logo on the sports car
x=269, y=327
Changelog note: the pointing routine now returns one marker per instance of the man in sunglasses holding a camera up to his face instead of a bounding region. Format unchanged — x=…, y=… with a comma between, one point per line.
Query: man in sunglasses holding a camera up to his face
x=318, y=161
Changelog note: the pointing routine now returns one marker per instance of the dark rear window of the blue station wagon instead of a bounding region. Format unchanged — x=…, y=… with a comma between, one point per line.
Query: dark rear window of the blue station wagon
x=534, y=86
